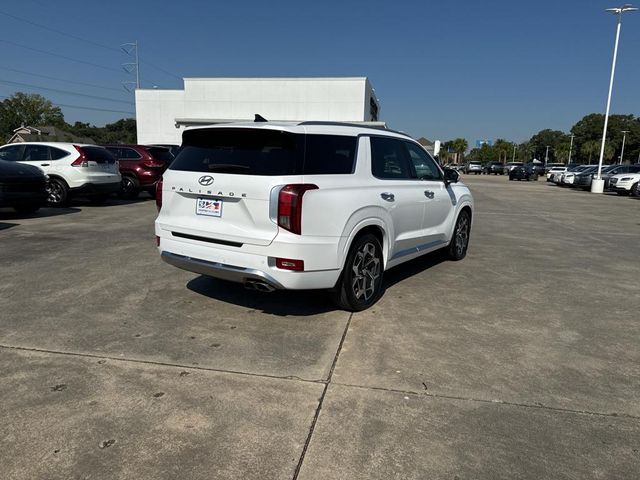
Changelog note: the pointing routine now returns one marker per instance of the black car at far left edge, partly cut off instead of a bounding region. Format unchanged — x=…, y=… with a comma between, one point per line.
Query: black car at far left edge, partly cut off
x=22, y=187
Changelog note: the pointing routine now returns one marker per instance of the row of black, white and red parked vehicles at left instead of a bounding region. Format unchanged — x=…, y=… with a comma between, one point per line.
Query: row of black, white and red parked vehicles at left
x=35, y=174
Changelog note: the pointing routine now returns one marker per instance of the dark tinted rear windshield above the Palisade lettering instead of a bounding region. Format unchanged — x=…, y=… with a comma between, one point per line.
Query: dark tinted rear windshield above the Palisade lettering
x=241, y=151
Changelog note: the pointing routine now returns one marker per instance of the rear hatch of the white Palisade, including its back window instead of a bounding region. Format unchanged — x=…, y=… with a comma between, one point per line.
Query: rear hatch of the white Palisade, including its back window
x=219, y=187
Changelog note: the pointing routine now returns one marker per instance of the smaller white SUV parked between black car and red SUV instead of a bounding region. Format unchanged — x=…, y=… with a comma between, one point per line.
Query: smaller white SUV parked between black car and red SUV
x=83, y=170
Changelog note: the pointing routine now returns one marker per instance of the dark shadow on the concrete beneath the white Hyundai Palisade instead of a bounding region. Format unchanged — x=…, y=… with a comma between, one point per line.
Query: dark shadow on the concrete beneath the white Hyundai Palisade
x=300, y=302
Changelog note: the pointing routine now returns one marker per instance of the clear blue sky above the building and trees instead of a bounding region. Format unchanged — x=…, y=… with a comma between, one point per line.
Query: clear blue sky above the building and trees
x=441, y=69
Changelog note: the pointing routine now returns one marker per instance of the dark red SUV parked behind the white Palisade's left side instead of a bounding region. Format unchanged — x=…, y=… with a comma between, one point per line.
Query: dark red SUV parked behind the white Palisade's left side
x=141, y=167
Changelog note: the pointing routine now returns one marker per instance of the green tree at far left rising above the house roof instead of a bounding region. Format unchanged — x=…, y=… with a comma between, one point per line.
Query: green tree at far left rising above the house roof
x=28, y=109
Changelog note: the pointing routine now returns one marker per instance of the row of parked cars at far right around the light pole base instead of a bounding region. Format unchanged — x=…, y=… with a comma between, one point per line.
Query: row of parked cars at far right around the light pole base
x=622, y=179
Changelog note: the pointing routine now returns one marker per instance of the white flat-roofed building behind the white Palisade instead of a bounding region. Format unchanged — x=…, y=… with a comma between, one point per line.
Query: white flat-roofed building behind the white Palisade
x=163, y=114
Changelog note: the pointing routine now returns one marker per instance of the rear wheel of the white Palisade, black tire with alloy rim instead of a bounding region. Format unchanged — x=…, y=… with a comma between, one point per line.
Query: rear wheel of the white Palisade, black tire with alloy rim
x=360, y=283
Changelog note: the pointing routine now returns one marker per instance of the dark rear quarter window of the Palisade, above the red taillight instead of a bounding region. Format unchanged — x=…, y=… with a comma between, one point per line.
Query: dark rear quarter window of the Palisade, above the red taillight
x=329, y=154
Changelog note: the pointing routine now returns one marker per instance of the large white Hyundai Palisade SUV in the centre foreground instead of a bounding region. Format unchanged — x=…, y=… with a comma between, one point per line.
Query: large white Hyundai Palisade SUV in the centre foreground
x=314, y=205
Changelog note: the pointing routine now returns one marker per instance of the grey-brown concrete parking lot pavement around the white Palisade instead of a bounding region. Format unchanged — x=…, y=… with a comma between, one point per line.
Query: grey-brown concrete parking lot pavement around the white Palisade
x=522, y=361
